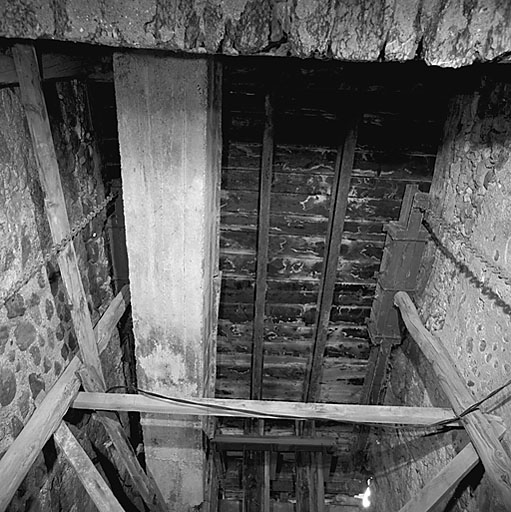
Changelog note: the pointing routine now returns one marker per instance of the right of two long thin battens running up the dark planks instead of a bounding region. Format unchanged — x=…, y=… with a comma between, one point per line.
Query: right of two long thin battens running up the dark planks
x=339, y=204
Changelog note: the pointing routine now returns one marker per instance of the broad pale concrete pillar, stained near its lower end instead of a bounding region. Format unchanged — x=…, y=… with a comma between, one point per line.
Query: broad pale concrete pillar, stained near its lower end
x=169, y=133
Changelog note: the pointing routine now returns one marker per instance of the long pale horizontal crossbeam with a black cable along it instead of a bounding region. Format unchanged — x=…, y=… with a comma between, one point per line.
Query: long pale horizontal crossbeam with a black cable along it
x=368, y=414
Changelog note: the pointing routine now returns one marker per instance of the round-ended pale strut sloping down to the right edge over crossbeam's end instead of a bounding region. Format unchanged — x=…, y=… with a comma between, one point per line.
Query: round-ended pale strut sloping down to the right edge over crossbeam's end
x=491, y=452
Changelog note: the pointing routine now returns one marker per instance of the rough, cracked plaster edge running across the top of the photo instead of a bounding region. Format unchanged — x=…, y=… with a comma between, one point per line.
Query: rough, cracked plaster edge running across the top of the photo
x=442, y=32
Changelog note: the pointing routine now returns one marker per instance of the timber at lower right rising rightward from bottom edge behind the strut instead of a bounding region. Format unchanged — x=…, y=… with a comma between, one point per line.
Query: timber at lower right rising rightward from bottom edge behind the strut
x=435, y=495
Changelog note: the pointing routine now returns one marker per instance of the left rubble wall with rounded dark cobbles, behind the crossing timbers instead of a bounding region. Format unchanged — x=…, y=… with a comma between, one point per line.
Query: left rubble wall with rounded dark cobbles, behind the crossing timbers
x=37, y=339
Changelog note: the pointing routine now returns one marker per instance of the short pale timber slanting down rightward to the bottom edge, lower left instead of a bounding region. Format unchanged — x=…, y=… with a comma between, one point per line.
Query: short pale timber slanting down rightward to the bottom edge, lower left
x=94, y=483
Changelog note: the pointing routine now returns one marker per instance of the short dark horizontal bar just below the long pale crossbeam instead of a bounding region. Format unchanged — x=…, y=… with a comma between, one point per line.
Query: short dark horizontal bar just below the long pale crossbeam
x=274, y=443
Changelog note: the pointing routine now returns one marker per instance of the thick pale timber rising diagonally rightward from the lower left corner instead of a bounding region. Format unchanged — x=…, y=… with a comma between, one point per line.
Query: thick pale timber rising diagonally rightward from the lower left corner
x=24, y=450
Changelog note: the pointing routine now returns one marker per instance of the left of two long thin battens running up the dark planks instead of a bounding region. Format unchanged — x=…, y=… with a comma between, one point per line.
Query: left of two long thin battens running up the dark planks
x=262, y=251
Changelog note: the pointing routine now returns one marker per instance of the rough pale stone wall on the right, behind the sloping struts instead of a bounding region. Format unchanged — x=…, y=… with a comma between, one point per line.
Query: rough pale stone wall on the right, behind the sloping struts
x=469, y=313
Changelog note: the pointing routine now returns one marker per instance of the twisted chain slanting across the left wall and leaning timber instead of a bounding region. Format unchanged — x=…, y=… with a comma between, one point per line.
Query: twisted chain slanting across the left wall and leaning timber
x=54, y=251
